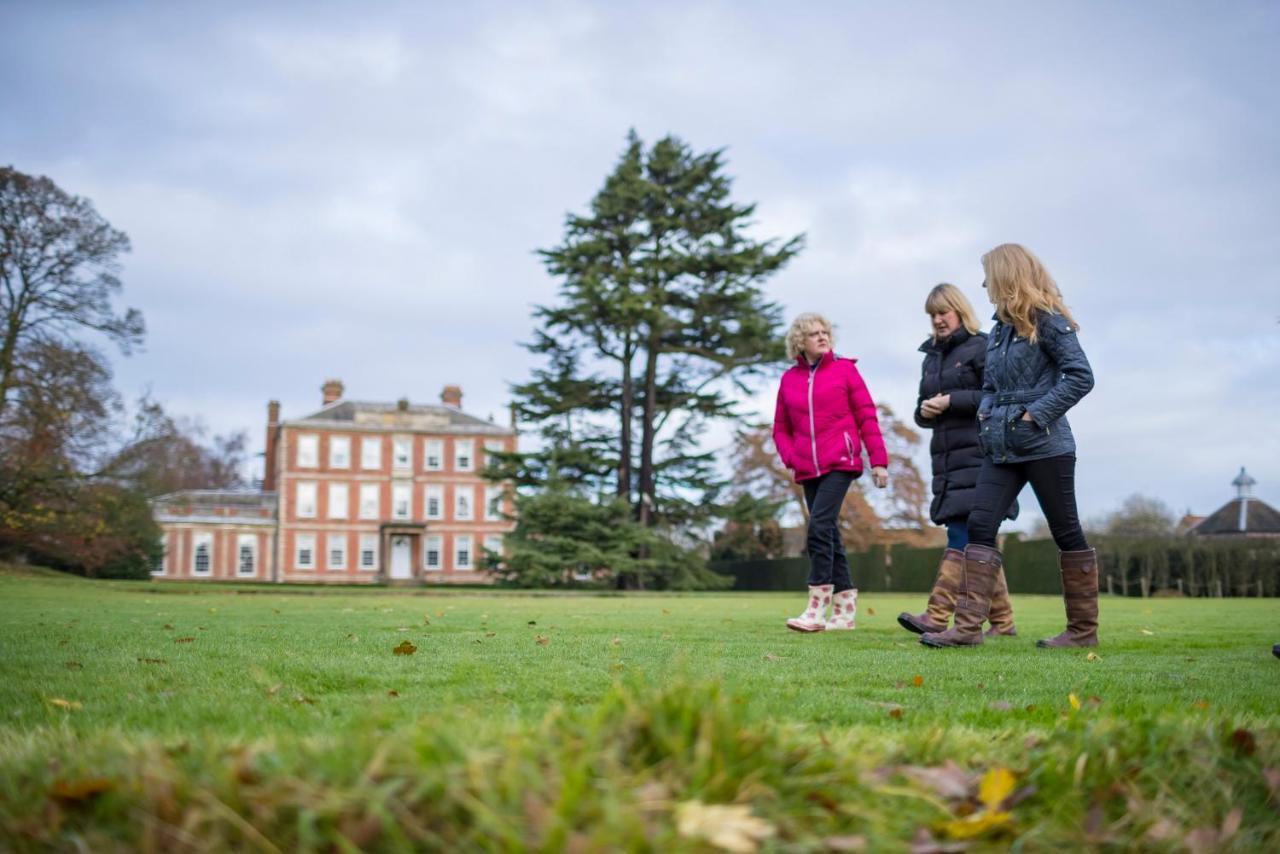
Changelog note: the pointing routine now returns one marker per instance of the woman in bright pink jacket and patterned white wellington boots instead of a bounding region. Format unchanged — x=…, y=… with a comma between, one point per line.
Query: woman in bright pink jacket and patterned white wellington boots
x=824, y=419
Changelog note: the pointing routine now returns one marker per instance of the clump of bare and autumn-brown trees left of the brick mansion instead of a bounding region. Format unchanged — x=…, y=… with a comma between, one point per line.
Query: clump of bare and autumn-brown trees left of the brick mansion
x=75, y=478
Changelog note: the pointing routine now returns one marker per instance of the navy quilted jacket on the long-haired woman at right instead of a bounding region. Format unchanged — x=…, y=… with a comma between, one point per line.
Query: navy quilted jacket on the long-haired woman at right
x=1045, y=380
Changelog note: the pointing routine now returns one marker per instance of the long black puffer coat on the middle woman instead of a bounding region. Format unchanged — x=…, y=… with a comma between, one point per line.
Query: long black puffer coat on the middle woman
x=954, y=367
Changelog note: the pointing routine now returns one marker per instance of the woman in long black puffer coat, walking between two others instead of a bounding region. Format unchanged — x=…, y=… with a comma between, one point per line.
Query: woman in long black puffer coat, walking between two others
x=948, y=405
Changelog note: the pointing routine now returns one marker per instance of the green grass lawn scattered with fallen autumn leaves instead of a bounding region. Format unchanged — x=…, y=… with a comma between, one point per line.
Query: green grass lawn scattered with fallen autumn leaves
x=182, y=716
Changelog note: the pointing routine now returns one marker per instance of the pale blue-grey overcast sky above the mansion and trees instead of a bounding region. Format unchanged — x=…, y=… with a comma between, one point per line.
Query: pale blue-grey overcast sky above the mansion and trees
x=351, y=190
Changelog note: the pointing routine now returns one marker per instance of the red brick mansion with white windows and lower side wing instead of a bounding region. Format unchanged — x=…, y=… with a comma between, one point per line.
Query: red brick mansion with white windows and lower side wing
x=353, y=494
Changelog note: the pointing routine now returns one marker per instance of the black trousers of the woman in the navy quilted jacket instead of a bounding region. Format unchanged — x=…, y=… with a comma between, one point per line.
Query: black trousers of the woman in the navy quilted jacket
x=1054, y=483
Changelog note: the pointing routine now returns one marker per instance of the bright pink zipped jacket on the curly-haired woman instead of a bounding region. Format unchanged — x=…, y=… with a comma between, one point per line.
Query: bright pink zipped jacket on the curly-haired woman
x=824, y=419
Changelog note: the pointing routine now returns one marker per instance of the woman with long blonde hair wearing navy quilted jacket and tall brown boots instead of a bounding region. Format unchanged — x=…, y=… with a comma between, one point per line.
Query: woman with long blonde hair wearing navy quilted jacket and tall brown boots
x=1036, y=372
